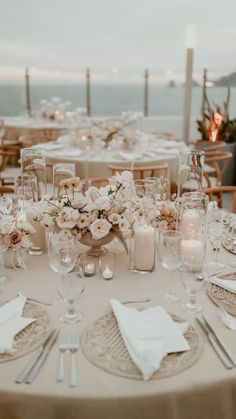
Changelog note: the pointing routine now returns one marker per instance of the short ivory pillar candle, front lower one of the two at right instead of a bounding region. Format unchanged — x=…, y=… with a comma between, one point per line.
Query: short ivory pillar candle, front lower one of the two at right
x=192, y=252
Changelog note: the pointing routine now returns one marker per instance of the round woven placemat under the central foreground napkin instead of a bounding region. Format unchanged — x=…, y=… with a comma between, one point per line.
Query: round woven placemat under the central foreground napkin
x=103, y=346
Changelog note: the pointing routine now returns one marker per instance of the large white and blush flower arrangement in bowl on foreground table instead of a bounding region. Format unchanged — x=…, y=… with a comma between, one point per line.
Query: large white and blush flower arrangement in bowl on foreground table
x=94, y=216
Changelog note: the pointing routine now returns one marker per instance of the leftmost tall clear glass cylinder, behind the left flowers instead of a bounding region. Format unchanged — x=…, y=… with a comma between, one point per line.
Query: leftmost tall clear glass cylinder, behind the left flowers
x=33, y=163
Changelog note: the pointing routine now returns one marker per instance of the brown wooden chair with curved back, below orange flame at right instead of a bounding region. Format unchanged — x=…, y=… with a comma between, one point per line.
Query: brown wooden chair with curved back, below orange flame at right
x=219, y=160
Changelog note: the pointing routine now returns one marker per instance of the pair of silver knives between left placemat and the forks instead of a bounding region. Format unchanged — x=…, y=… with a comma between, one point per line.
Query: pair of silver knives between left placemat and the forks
x=30, y=371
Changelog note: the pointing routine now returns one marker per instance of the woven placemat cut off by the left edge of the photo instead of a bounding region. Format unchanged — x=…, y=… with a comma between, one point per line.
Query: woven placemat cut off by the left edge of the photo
x=33, y=335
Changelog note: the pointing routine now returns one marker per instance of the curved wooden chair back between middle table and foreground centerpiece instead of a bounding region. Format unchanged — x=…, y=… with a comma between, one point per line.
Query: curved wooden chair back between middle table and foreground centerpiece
x=141, y=172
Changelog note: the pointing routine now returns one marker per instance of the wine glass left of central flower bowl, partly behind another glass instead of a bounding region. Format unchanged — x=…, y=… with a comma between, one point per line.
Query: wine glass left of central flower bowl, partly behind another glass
x=61, y=255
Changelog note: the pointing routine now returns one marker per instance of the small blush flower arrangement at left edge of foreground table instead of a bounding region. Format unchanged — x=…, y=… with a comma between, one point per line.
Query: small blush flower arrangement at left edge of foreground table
x=15, y=236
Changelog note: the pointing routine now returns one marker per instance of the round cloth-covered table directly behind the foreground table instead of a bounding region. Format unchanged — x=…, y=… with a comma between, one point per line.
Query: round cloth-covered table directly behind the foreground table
x=94, y=161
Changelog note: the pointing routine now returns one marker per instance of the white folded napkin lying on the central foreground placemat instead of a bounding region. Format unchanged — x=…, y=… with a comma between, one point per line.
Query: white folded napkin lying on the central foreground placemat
x=149, y=335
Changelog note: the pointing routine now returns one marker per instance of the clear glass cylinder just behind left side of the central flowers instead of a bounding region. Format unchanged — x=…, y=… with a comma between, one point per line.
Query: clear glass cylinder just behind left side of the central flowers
x=61, y=171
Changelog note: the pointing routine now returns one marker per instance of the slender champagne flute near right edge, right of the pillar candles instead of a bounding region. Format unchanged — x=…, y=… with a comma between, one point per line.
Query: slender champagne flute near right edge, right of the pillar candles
x=218, y=225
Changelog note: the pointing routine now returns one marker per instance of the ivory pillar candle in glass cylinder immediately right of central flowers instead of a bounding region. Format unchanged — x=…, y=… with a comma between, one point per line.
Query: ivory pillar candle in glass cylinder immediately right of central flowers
x=144, y=248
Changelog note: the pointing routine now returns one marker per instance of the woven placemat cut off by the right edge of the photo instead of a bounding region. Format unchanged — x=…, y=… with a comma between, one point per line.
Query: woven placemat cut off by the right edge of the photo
x=222, y=297
